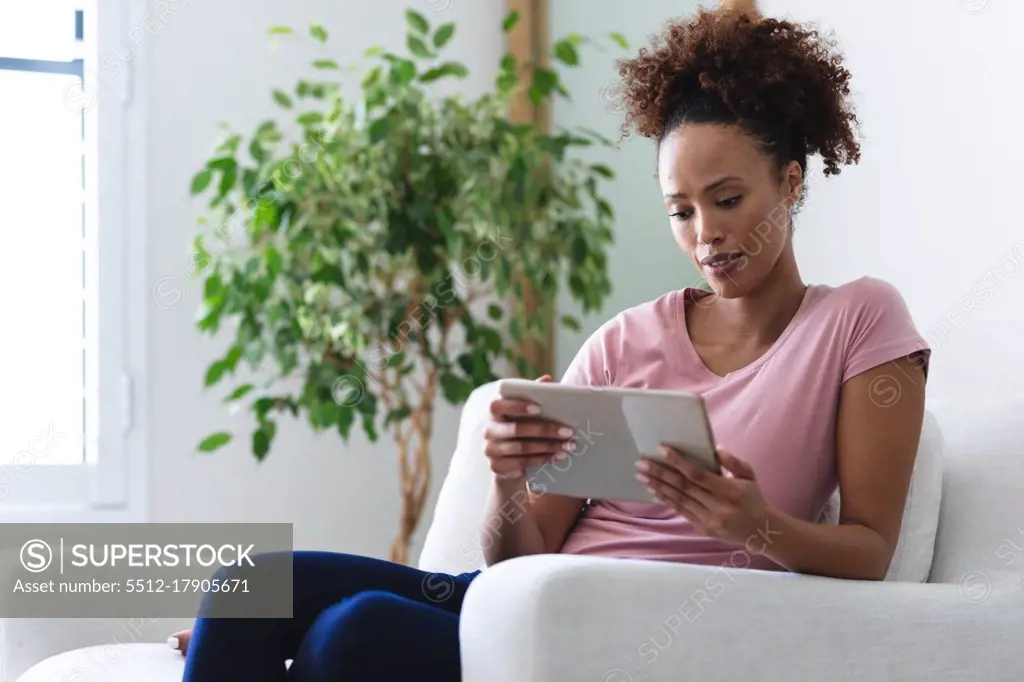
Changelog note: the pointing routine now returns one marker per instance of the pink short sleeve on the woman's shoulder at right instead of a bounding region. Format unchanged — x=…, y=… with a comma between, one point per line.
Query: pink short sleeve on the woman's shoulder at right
x=881, y=329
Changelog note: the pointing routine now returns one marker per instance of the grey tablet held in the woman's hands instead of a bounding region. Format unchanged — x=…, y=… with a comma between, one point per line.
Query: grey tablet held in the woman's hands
x=614, y=428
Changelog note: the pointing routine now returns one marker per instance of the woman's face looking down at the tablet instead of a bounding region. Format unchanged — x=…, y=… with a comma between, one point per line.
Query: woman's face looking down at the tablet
x=729, y=207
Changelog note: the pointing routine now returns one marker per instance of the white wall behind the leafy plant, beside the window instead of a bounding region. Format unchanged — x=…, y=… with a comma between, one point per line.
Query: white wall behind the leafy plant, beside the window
x=210, y=63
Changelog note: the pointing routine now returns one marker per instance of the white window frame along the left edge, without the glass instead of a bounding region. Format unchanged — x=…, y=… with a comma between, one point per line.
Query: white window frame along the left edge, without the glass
x=110, y=485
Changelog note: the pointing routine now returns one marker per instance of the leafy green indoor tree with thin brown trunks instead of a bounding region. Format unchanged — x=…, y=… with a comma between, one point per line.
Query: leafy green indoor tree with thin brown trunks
x=378, y=258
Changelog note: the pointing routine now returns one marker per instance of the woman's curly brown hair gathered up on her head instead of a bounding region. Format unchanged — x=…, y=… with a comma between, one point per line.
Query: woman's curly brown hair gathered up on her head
x=784, y=83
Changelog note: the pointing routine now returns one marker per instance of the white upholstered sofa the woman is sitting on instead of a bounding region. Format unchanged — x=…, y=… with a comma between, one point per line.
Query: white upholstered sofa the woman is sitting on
x=563, y=619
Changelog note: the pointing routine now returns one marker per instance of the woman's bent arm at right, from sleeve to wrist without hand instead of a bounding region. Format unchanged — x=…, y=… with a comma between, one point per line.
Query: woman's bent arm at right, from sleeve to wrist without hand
x=880, y=420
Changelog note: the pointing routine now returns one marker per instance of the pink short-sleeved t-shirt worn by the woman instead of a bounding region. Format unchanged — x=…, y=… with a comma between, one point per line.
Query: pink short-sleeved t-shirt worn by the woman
x=779, y=413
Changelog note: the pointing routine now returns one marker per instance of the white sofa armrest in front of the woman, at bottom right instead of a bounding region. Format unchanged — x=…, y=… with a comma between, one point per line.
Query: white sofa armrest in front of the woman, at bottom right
x=564, y=619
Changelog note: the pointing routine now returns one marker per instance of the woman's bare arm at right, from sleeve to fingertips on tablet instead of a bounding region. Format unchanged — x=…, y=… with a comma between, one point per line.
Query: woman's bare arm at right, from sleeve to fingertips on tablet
x=880, y=418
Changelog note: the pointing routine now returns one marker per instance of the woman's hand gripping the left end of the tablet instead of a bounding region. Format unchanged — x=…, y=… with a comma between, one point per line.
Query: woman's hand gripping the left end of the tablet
x=517, y=439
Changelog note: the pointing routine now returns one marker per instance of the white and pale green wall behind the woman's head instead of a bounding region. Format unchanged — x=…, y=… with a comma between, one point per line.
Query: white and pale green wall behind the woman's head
x=932, y=207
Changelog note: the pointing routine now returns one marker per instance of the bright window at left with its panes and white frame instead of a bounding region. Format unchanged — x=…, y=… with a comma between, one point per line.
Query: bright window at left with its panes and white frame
x=66, y=419
